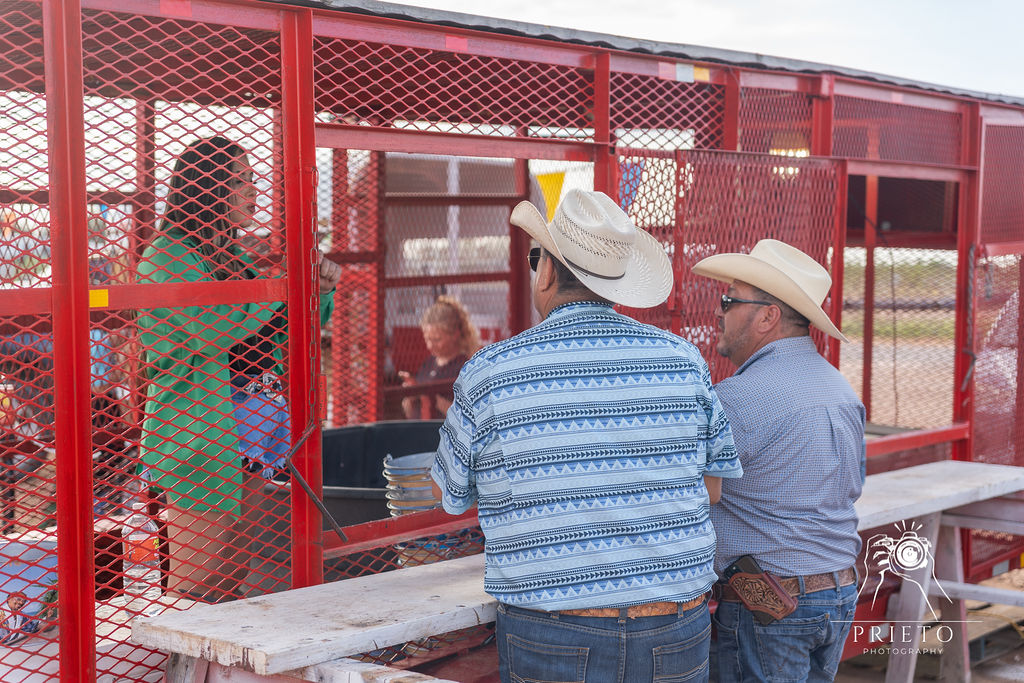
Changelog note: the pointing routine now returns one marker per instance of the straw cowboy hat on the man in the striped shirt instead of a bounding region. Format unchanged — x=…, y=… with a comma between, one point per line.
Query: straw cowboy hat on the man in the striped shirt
x=595, y=240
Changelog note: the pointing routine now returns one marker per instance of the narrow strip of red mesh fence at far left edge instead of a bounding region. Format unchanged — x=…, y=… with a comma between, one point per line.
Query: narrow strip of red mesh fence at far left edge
x=28, y=462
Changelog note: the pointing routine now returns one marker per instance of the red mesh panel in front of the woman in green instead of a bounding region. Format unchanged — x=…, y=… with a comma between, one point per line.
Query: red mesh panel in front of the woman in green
x=181, y=140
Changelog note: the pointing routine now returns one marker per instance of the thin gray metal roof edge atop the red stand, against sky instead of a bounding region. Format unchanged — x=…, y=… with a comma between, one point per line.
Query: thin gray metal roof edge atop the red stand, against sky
x=679, y=51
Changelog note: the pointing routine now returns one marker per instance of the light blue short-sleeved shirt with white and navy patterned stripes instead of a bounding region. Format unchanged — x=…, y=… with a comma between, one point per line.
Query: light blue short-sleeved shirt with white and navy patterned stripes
x=584, y=442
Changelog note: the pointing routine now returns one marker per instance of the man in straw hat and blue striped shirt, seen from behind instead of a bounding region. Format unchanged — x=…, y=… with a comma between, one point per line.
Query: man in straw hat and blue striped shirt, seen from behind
x=594, y=447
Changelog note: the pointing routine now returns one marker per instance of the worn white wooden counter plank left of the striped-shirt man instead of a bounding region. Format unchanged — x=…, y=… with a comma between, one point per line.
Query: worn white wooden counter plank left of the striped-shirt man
x=301, y=628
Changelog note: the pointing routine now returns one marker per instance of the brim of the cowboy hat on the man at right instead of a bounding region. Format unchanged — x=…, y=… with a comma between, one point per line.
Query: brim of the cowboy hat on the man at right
x=729, y=268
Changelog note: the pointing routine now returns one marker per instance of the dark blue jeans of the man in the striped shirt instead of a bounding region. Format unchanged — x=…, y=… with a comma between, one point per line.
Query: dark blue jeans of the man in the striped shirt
x=535, y=647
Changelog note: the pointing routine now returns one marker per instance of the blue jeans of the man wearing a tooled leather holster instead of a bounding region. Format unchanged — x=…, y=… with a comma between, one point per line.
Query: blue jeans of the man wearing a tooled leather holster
x=807, y=646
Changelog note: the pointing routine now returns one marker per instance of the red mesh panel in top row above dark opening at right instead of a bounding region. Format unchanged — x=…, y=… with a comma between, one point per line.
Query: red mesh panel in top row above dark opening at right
x=870, y=130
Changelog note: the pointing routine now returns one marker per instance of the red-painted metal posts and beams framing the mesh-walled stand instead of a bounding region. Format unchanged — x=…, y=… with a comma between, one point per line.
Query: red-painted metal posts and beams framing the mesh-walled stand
x=301, y=132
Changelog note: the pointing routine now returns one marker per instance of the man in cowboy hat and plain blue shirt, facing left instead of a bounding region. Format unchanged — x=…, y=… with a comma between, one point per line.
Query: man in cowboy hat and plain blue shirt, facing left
x=799, y=431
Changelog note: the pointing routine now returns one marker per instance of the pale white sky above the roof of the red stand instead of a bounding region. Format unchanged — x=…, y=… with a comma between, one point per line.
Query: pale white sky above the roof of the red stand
x=972, y=45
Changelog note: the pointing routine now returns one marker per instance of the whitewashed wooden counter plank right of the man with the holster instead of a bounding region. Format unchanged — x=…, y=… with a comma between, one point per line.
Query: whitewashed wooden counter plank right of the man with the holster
x=923, y=490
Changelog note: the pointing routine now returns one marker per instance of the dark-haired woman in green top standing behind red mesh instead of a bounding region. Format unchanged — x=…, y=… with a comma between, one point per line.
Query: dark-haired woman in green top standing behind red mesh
x=197, y=443
